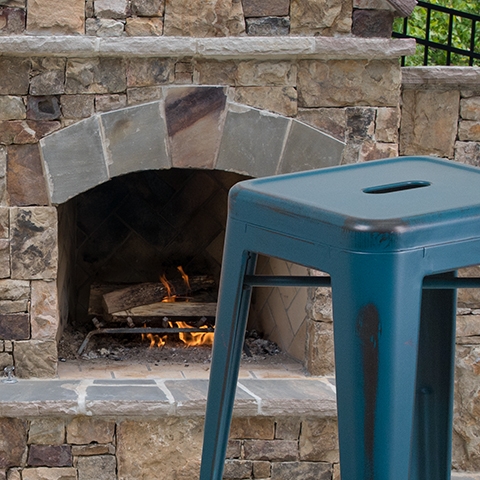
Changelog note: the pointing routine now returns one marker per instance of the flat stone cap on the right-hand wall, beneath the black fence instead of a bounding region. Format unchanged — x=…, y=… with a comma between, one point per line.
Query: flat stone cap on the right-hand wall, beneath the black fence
x=426, y=77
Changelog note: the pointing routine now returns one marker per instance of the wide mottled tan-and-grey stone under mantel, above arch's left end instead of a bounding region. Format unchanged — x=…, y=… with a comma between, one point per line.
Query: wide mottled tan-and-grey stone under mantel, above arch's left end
x=101, y=75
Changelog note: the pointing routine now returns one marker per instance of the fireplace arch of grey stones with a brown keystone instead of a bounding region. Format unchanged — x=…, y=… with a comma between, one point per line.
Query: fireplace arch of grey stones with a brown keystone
x=189, y=127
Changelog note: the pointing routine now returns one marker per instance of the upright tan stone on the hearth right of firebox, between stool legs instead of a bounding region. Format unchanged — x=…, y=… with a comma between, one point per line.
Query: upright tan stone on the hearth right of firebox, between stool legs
x=320, y=351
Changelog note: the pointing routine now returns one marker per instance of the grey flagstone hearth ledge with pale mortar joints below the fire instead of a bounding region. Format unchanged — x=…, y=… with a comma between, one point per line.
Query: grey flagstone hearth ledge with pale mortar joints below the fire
x=312, y=397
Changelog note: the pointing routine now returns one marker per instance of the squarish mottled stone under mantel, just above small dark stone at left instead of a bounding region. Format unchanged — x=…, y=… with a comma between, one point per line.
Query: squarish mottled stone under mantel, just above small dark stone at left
x=48, y=76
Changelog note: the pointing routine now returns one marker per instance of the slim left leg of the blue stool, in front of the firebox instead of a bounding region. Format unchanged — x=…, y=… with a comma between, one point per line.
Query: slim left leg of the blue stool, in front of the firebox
x=232, y=313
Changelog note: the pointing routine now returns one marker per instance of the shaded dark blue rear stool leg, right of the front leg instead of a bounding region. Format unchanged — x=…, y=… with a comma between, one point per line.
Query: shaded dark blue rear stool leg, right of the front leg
x=432, y=439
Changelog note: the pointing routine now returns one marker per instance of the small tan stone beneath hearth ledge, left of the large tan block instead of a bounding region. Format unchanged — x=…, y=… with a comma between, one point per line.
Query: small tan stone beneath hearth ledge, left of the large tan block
x=85, y=430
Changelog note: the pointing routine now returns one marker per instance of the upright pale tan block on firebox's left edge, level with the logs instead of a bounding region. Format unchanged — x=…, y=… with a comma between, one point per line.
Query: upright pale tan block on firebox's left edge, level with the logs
x=44, y=313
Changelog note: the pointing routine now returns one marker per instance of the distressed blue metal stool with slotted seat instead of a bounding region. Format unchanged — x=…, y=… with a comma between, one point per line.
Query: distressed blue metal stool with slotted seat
x=378, y=229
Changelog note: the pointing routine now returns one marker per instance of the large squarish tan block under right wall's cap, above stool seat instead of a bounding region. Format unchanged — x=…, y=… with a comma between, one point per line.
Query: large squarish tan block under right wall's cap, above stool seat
x=429, y=122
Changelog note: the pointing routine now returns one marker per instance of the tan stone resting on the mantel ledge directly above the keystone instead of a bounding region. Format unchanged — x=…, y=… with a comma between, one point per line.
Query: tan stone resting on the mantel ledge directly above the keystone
x=204, y=18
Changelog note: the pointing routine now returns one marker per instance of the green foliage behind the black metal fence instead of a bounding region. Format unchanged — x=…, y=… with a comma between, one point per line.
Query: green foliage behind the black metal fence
x=439, y=23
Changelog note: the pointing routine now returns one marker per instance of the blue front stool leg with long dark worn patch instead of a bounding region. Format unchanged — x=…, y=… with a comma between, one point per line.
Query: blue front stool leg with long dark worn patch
x=376, y=306
